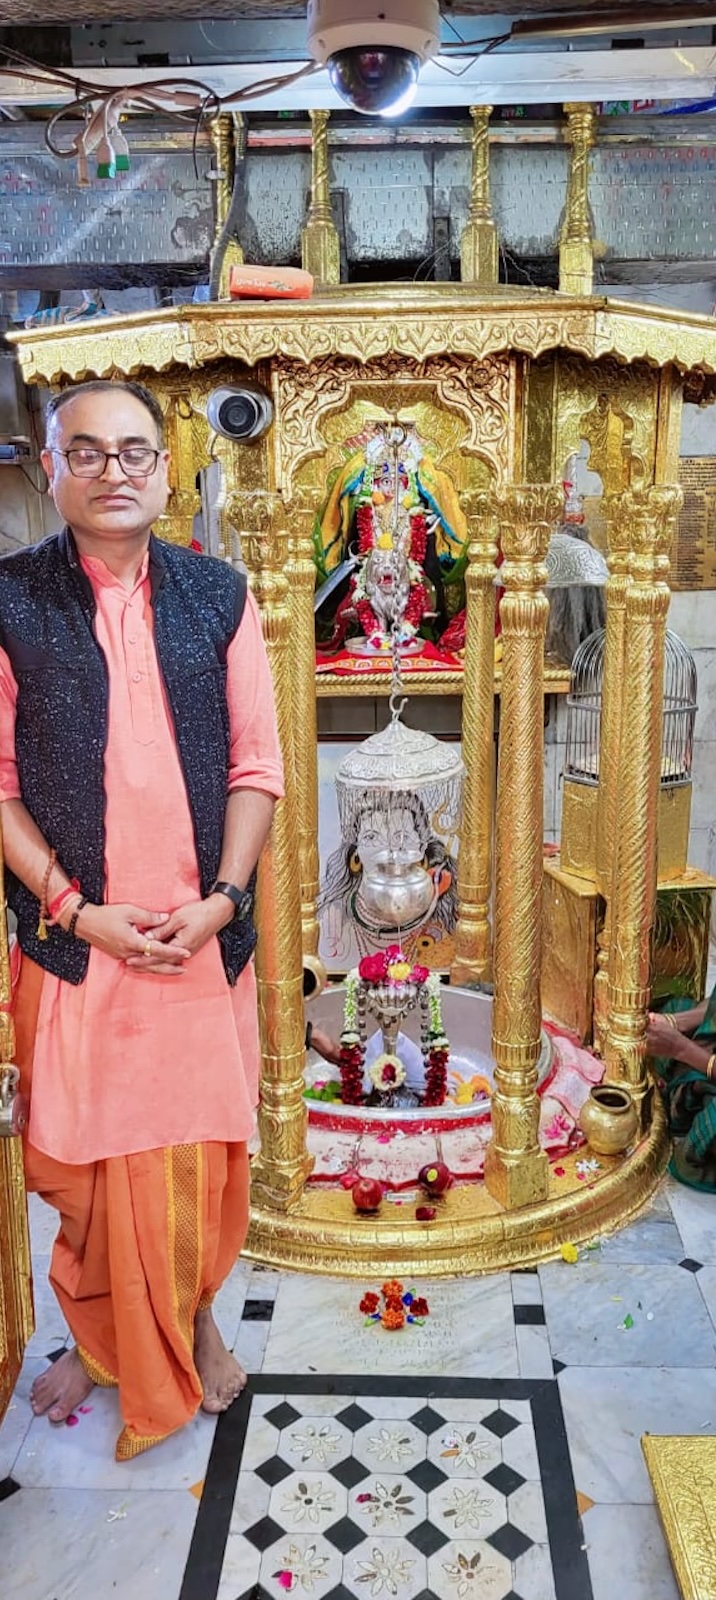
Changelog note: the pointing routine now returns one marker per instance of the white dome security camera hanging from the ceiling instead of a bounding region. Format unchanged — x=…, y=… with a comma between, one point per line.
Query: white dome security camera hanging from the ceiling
x=375, y=49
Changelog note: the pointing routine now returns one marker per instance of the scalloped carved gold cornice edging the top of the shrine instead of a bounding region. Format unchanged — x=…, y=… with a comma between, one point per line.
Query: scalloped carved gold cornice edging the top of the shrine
x=365, y=324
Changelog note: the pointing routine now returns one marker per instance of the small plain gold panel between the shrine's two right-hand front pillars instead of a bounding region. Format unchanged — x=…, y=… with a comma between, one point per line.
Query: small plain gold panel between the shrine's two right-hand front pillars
x=570, y=929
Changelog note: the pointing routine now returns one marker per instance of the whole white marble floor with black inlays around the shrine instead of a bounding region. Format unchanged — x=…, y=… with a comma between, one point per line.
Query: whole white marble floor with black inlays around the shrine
x=491, y=1452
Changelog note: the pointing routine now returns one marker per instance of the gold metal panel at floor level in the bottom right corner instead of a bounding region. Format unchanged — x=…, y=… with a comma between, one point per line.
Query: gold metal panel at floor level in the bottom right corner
x=683, y=1474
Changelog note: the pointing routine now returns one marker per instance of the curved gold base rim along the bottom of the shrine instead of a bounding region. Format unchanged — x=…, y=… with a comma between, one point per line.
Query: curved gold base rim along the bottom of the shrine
x=472, y=1234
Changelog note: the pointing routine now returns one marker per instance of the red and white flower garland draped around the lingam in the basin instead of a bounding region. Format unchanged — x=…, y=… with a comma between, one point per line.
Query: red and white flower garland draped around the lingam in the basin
x=391, y=967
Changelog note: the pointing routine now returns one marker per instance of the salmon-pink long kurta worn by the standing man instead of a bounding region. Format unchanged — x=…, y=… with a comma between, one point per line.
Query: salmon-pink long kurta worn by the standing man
x=130, y=1062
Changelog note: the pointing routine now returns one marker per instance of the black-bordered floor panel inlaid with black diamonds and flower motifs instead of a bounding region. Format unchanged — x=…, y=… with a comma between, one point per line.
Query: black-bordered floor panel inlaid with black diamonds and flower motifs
x=391, y=1487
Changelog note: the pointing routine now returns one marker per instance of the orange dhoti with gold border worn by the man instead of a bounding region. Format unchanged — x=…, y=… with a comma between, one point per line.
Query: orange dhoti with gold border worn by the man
x=146, y=1241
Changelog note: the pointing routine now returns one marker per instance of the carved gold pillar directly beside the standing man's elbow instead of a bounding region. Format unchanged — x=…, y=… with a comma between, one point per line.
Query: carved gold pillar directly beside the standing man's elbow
x=282, y=1167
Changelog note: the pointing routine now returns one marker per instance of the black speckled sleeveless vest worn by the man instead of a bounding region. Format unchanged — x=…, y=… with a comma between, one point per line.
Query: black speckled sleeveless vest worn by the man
x=47, y=628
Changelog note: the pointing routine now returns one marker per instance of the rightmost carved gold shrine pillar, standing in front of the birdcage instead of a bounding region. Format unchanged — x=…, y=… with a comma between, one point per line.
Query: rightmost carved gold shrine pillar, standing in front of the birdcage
x=651, y=516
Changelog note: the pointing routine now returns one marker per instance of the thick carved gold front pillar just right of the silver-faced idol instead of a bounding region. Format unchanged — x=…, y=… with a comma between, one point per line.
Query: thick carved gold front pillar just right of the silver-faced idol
x=515, y=1167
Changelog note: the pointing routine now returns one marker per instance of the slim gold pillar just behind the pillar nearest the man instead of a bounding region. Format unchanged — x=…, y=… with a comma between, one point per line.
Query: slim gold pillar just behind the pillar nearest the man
x=303, y=580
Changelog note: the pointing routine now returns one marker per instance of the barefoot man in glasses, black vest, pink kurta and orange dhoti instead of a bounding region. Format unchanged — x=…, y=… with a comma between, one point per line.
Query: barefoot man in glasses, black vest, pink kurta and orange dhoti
x=140, y=767
